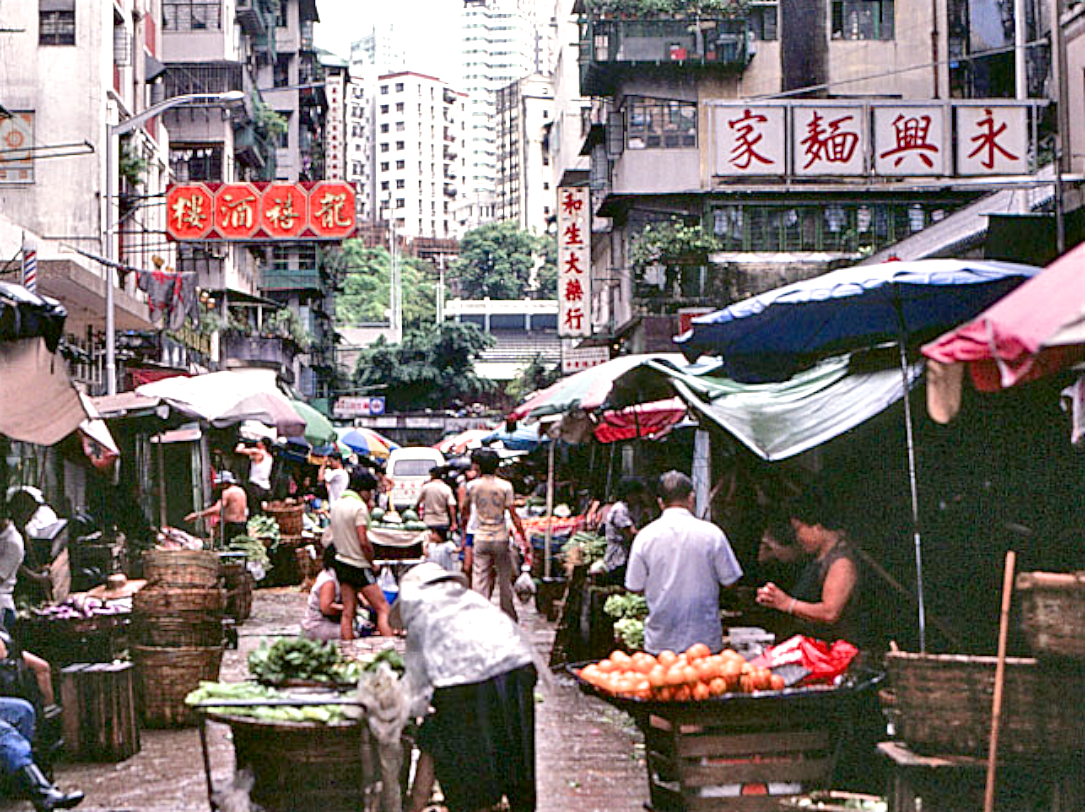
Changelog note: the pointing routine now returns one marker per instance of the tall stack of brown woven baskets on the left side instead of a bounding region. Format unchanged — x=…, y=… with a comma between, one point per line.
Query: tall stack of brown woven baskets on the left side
x=178, y=621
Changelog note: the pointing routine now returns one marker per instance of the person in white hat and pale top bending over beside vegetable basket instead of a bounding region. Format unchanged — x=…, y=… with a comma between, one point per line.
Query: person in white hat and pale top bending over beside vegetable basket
x=471, y=664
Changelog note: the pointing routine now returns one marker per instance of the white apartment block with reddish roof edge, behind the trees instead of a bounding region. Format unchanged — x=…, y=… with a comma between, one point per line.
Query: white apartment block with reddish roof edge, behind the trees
x=420, y=160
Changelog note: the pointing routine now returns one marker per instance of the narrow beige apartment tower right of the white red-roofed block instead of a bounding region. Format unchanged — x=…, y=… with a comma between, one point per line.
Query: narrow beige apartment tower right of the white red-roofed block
x=525, y=193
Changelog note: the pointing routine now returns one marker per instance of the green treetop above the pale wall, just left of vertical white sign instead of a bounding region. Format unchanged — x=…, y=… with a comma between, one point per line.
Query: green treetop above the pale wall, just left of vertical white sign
x=499, y=260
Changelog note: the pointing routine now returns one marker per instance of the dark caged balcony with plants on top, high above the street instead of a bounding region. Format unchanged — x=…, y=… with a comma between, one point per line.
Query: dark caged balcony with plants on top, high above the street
x=615, y=50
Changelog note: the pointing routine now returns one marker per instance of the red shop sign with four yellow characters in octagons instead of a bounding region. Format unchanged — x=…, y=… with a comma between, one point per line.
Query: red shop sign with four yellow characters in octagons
x=322, y=211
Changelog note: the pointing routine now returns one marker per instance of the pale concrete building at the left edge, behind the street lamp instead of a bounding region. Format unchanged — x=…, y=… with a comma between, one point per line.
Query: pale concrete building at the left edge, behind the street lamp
x=59, y=147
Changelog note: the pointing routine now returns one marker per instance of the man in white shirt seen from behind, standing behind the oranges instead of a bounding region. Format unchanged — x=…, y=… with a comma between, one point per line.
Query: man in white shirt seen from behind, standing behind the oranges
x=680, y=563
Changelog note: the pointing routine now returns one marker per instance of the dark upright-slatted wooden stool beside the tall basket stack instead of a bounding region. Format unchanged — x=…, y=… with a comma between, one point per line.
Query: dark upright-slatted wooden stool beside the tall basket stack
x=100, y=719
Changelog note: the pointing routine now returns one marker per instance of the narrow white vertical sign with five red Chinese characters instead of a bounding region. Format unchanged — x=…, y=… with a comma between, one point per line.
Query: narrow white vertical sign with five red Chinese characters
x=575, y=262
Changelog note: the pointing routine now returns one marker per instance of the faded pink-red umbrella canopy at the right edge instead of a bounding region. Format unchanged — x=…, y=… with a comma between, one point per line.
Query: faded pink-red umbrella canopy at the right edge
x=1038, y=329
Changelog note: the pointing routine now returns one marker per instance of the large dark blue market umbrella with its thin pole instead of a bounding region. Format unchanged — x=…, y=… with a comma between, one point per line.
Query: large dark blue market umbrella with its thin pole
x=775, y=335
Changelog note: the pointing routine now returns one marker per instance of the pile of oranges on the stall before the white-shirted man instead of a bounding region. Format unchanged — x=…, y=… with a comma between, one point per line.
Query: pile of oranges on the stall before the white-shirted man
x=695, y=675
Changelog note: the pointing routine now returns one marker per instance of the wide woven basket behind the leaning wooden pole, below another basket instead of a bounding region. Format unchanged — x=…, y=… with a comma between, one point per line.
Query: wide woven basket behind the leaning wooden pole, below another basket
x=943, y=705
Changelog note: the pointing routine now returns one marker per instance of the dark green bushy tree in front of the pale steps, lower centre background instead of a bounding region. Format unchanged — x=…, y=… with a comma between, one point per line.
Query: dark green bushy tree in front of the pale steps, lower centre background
x=432, y=369
